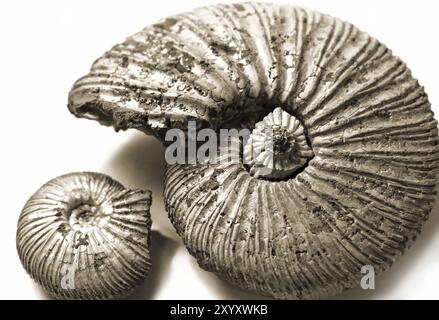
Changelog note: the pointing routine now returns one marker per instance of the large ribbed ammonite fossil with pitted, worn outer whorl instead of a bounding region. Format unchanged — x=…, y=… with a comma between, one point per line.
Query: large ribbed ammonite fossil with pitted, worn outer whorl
x=355, y=144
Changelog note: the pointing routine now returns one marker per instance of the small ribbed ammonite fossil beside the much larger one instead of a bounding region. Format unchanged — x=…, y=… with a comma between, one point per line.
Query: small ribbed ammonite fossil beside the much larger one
x=85, y=236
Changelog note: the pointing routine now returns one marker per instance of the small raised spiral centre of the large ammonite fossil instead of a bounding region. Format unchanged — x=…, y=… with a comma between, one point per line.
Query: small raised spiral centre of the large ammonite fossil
x=277, y=147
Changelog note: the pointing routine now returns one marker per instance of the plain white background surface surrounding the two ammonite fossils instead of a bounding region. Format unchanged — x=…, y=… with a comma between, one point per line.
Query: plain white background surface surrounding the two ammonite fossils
x=47, y=45
